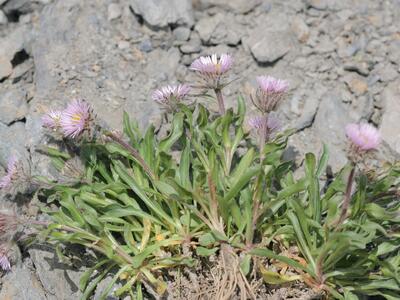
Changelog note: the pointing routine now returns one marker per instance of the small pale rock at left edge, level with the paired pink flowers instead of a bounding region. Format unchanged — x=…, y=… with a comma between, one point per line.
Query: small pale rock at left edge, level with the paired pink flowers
x=13, y=106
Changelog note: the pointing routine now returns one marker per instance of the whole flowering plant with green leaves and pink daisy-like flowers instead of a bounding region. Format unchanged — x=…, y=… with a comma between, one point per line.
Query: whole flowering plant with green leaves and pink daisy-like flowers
x=144, y=211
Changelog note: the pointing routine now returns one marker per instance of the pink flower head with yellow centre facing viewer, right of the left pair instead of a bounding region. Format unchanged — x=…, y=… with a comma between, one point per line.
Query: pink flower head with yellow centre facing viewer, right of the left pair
x=76, y=118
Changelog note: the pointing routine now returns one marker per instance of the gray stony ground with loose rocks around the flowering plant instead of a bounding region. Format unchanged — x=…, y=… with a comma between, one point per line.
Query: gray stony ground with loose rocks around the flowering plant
x=342, y=59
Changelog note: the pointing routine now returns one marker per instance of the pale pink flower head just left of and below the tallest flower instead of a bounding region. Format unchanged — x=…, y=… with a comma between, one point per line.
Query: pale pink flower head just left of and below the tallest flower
x=171, y=95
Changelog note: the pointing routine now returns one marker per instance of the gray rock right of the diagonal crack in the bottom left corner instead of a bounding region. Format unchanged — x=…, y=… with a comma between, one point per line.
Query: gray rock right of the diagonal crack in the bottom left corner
x=59, y=280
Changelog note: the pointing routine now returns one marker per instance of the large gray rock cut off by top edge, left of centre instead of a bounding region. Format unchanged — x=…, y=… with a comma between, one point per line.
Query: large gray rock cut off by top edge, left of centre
x=163, y=13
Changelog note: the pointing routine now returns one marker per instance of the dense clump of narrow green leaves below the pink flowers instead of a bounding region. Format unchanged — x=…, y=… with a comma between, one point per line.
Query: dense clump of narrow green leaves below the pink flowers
x=208, y=186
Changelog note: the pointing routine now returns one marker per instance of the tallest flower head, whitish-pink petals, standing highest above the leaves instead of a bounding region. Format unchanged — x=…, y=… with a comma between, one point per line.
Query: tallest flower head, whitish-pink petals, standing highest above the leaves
x=212, y=68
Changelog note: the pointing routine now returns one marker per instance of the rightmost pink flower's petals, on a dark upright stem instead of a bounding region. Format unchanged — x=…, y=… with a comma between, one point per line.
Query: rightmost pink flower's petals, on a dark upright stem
x=364, y=137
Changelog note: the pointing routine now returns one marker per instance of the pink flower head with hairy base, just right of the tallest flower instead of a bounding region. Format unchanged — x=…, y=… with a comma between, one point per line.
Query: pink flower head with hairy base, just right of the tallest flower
x=269, y=93
